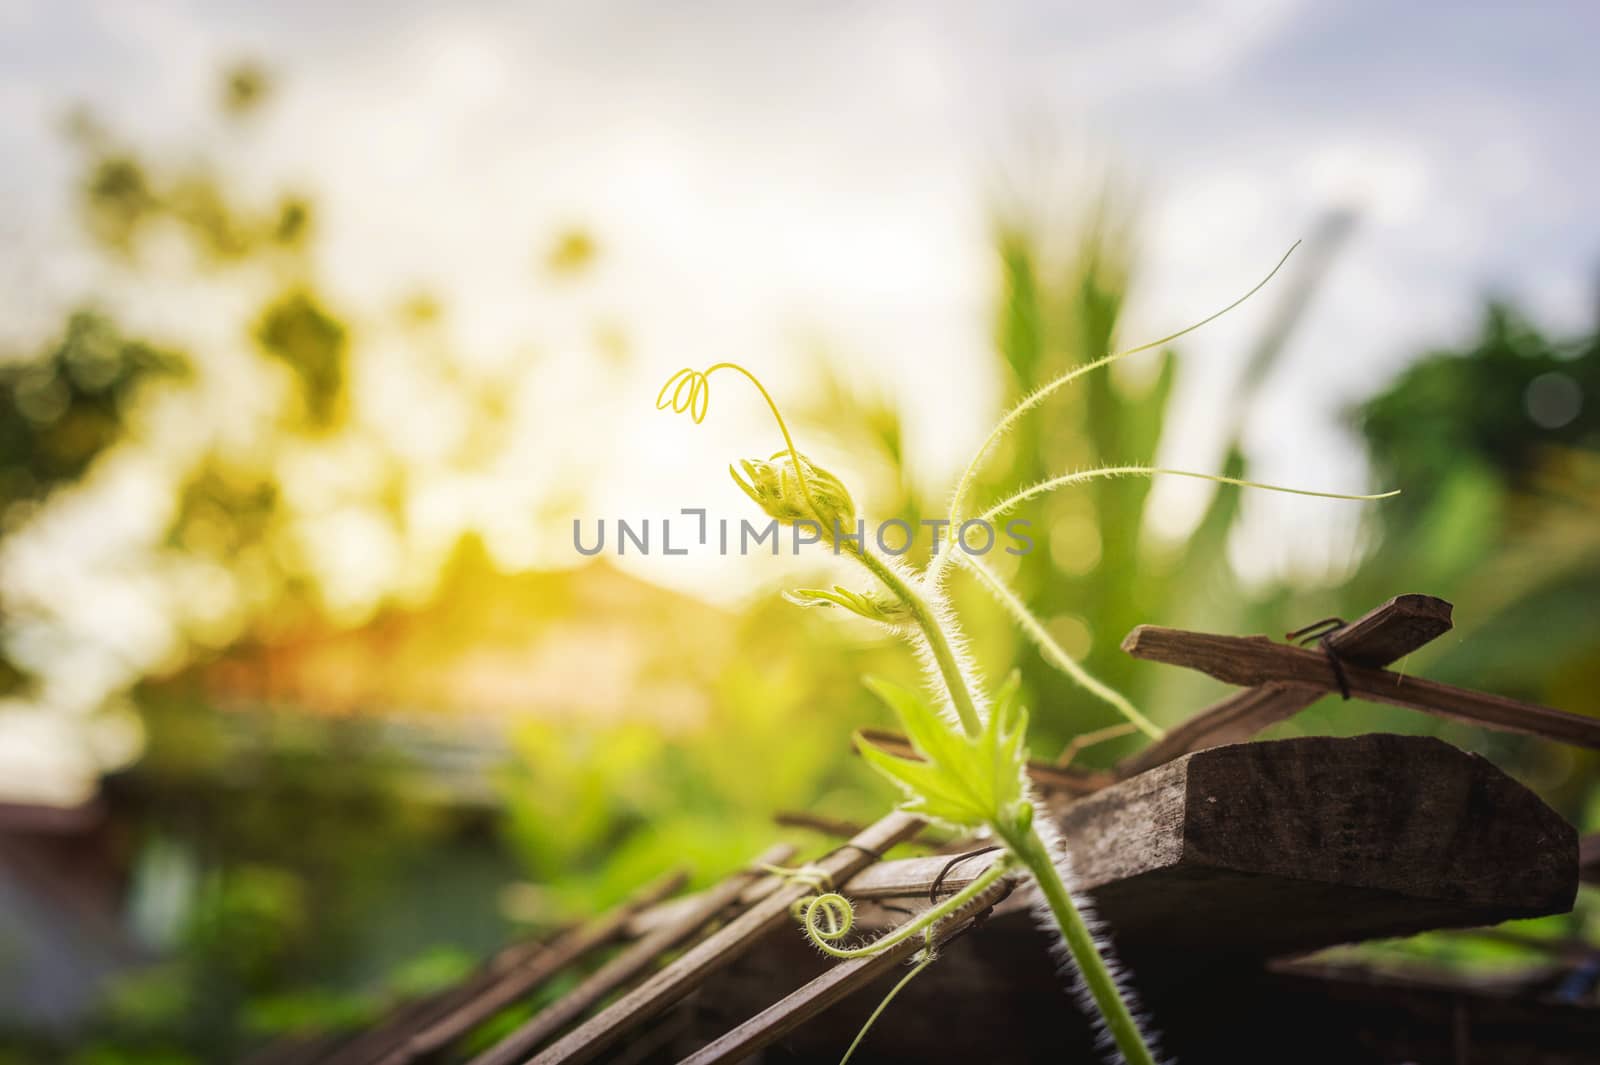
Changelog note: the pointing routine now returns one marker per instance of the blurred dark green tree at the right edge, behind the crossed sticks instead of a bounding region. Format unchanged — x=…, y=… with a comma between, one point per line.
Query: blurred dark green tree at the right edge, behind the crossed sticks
x=1498, y=450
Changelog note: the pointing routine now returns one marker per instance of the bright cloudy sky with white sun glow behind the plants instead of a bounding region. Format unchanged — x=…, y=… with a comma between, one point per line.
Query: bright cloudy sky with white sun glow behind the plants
x=764, y=175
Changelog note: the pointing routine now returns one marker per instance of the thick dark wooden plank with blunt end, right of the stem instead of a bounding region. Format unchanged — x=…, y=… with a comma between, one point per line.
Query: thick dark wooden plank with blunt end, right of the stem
x=1289, y=845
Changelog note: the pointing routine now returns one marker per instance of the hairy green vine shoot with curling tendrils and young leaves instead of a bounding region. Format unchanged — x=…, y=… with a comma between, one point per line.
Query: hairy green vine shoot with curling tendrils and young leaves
x=974, y=768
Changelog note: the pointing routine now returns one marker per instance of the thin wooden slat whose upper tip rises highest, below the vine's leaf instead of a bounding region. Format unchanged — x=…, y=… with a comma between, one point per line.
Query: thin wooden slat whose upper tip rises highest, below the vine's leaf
x=718, y=951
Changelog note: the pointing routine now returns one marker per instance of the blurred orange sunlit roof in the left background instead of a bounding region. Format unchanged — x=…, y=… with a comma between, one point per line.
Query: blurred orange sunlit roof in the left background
x=489, y=647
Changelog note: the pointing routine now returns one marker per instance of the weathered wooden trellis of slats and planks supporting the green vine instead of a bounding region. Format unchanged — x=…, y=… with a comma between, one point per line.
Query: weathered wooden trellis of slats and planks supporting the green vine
x=1201, y=847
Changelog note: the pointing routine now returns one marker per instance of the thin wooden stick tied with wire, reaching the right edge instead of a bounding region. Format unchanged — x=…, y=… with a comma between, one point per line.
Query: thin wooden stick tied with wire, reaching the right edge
x=1250, y=661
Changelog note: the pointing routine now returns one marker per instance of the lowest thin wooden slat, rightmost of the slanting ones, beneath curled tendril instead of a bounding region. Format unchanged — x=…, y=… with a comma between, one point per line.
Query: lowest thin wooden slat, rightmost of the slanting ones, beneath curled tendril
x=841, y=981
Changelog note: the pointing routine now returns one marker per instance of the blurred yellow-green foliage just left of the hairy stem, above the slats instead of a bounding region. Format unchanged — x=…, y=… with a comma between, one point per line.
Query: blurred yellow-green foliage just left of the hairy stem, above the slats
x=594, y=812
